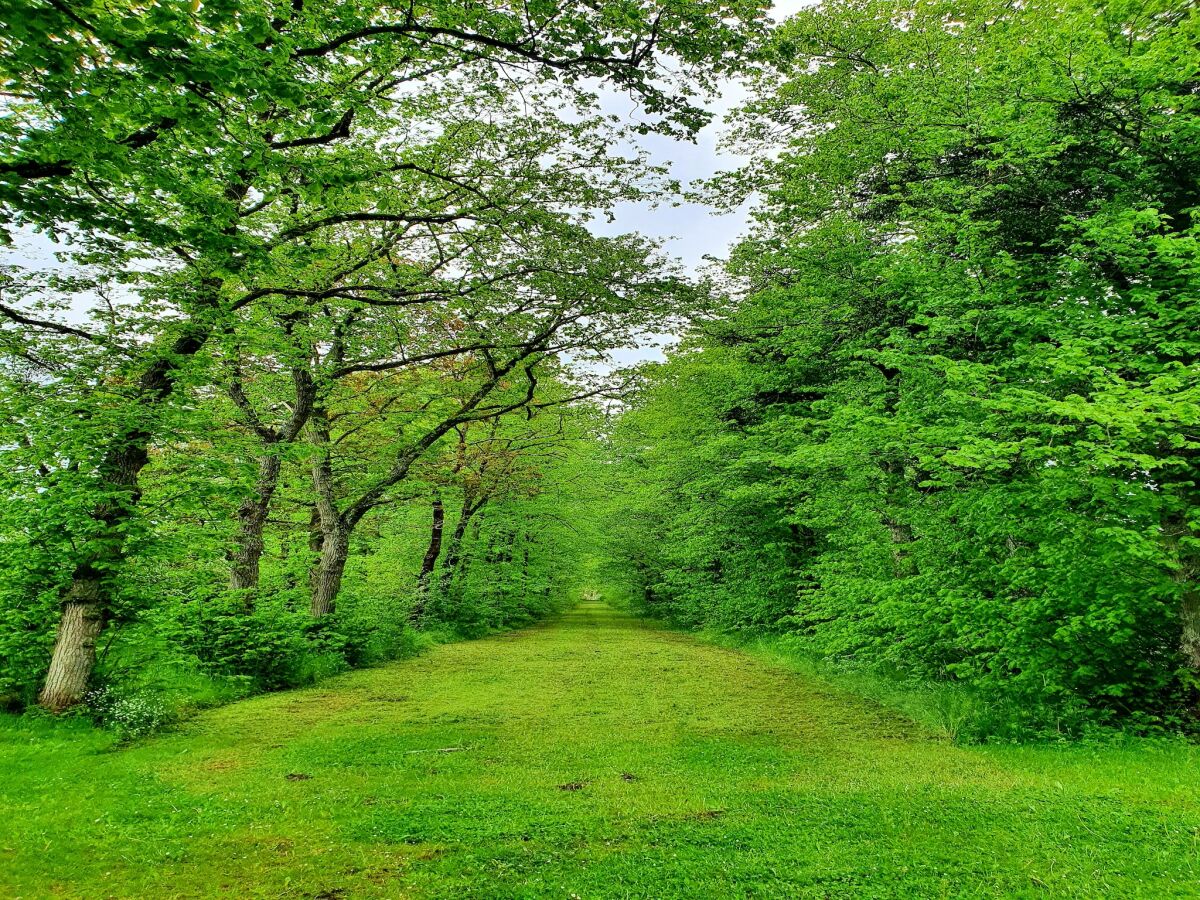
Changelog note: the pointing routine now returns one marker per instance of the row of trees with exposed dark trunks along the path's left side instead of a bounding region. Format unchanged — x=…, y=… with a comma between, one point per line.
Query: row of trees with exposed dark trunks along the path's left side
x=319, y=266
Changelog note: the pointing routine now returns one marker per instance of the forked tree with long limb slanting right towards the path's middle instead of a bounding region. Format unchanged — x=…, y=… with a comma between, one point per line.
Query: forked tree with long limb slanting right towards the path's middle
x=577, y=295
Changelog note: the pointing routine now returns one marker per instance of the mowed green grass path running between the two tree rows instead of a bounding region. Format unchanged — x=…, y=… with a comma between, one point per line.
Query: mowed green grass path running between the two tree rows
x=597, y=757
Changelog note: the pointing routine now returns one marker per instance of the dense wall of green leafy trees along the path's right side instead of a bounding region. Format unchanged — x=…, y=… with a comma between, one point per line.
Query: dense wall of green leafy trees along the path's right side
x=952, y=430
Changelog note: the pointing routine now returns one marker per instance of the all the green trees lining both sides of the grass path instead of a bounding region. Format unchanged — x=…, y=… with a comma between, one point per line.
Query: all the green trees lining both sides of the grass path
x=307, y=340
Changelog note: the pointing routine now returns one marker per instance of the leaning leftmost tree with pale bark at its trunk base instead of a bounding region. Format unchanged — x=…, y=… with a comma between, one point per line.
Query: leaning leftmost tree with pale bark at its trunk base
x=223, y=148
